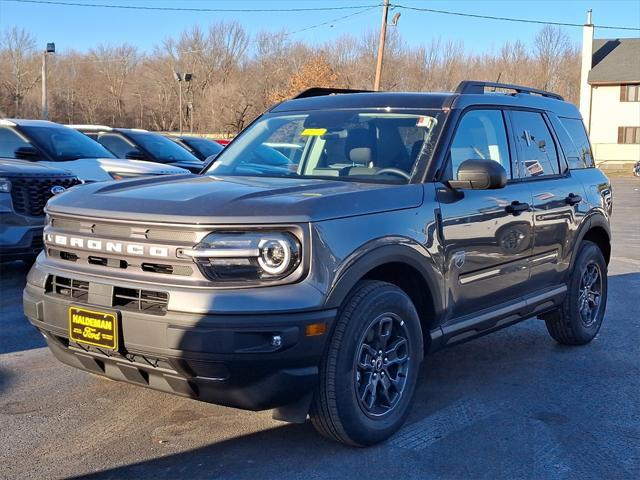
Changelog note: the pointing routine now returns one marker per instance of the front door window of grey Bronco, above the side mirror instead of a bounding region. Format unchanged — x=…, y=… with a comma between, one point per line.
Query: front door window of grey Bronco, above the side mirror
x=481, y=135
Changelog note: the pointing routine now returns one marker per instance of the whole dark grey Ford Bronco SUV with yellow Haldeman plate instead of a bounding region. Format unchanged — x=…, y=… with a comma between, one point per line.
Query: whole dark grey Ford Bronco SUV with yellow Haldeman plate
x=316, y=285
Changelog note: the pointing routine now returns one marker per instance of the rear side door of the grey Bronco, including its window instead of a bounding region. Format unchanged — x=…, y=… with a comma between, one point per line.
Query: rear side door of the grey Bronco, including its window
x=557, y=196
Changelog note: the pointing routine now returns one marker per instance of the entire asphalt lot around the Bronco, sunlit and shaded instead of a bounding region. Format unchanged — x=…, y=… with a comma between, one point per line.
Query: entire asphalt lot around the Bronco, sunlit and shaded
x=513, y=404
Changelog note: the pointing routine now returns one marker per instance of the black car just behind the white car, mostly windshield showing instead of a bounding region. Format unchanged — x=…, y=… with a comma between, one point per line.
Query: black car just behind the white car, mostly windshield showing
x=138, y=144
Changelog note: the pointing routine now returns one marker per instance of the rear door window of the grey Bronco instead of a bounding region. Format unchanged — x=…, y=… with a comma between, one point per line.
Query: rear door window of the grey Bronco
x=537, y=150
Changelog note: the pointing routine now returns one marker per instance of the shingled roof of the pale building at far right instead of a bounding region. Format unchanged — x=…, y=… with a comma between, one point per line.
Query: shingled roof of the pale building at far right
x=615, y=61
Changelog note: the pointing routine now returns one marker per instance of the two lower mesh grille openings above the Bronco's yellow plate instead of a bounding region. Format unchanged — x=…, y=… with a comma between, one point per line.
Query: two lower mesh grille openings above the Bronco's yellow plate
x=132, y=299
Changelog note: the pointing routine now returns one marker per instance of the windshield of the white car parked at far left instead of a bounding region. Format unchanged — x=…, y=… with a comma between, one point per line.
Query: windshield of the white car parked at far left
x=63, y=143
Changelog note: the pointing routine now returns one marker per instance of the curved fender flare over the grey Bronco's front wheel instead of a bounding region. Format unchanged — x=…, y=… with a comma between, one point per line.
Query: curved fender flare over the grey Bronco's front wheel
x=380, y=252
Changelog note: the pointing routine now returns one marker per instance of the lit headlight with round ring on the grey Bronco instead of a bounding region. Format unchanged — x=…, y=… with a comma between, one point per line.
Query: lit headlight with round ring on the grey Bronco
x=246, y=256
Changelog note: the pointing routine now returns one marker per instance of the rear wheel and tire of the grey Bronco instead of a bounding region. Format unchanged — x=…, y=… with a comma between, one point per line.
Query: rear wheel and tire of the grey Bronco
x=578, y=320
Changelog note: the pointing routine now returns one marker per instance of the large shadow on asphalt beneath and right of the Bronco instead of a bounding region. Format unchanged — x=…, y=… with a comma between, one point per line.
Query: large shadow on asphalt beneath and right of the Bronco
x=513, y=402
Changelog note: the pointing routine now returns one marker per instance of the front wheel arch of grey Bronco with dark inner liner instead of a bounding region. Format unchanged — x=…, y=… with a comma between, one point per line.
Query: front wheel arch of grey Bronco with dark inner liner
x=404, y=267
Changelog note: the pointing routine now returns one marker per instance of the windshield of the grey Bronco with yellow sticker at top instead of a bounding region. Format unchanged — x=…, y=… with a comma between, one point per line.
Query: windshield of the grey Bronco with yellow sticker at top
x=369, y=146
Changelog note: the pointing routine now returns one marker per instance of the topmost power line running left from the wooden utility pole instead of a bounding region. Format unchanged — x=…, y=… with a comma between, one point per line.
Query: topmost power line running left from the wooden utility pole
x=191, y=9
